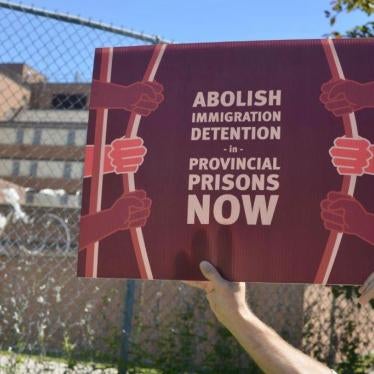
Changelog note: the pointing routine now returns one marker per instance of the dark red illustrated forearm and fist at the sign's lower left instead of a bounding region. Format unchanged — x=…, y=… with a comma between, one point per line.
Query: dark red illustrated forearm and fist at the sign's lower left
x=129, y=211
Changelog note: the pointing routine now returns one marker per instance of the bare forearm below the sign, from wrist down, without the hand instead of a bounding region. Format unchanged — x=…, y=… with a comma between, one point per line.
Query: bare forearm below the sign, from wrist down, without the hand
x=271, y=353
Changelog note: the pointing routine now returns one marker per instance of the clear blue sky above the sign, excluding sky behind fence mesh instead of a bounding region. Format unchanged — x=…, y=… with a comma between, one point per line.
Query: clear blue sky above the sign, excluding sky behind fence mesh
x=211, y=20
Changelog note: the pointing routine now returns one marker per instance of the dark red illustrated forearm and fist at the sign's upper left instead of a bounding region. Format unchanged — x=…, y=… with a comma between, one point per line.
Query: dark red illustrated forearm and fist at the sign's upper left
x=141, y=97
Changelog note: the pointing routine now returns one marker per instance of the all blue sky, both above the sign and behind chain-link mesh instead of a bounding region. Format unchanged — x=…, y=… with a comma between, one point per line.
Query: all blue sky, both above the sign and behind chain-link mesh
x=64, y=52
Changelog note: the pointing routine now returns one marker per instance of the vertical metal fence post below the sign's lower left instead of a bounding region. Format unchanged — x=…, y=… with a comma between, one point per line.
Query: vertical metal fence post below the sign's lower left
x=128, y=309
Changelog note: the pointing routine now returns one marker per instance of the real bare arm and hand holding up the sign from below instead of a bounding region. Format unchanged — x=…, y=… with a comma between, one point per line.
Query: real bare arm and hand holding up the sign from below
x=271, y=353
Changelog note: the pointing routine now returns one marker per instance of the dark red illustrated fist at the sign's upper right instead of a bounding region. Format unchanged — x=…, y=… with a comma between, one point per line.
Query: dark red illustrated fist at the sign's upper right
x=342, y=96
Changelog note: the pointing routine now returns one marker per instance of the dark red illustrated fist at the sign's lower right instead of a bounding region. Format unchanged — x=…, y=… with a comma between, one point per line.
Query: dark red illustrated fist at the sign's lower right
x=343, y=213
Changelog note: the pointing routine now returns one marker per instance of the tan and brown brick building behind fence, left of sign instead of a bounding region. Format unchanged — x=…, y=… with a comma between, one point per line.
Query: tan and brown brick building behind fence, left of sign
x=42, y=134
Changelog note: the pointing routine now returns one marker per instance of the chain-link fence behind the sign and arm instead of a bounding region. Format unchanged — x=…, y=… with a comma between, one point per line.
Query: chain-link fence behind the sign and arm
x=45, y=311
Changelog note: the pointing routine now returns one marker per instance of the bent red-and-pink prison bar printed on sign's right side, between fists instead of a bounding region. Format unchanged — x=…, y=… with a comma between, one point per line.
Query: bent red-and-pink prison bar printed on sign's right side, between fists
x=349, y=181
